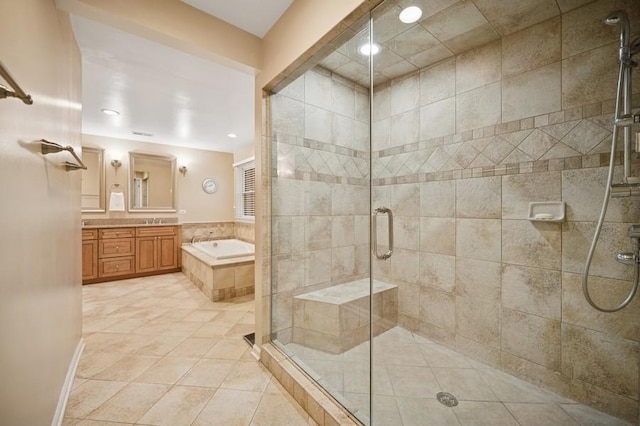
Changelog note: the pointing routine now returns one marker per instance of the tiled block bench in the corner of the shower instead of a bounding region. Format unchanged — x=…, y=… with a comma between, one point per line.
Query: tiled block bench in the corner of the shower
x=336, y=319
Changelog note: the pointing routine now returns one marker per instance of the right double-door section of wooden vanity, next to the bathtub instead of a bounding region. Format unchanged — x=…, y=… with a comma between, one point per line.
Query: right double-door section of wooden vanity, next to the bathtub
x=156, y=249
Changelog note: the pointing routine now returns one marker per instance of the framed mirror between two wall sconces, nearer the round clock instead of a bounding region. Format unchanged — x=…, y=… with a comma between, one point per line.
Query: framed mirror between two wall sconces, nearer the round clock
x=151, y=182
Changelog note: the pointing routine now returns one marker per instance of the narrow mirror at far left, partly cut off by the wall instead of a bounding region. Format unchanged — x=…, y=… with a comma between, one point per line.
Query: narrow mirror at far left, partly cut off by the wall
x=93, y=199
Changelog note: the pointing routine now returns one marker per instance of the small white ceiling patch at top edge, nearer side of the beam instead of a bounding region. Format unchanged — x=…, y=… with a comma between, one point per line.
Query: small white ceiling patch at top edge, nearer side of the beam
x=253, y=16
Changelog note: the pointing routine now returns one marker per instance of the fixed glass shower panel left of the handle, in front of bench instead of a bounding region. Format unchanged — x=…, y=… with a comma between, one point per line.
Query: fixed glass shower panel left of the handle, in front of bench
x=320, y=221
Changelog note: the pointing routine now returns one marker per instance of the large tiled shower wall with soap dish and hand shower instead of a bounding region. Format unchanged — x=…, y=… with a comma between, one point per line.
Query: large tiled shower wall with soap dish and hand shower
x=460, y=149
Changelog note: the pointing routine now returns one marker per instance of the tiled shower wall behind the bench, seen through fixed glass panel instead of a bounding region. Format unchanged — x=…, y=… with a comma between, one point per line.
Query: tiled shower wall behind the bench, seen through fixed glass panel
x=320, y=189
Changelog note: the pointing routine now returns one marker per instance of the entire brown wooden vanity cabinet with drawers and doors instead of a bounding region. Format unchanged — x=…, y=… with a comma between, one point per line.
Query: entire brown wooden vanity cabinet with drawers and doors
x=116, y=253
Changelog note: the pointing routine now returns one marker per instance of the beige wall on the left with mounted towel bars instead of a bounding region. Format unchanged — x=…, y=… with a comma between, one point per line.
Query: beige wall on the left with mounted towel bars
x=40, y=295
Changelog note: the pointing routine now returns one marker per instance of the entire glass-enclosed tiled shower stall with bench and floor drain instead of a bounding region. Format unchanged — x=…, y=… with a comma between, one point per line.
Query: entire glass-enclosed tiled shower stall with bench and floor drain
x=407, y=275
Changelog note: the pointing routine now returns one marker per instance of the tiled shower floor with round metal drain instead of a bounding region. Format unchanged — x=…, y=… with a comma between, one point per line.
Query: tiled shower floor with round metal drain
x=410, y=370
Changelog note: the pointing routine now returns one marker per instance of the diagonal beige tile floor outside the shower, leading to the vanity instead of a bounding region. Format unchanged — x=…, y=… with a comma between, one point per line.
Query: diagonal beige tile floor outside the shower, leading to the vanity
x=158, y=352
